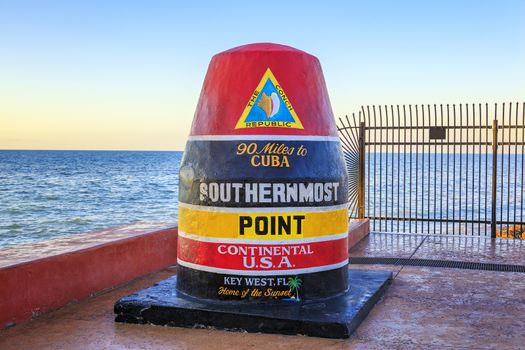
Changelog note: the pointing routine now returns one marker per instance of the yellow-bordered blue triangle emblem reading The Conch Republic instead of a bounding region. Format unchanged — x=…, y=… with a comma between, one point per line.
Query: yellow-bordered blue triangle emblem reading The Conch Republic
x=269, y=107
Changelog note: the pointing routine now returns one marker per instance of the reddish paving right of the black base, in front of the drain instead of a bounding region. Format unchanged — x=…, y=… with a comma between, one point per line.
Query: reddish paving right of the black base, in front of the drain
x=427, y=308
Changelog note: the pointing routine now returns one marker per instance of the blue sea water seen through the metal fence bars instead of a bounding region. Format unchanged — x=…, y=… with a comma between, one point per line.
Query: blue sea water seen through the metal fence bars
x=448, y=186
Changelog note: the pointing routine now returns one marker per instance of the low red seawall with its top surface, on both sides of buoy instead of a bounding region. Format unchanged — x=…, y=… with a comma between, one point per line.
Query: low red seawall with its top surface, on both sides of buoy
x=87, y=264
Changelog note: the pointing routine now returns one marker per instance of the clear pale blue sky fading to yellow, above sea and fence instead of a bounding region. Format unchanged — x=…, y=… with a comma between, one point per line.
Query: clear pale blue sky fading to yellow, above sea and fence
x=127, y=74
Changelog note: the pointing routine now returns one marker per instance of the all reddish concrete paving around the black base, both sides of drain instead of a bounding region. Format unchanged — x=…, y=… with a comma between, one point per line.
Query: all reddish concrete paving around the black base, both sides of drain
x=424, y=308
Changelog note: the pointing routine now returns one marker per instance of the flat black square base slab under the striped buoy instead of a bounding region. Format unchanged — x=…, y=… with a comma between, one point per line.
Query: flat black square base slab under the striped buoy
x=336, y=317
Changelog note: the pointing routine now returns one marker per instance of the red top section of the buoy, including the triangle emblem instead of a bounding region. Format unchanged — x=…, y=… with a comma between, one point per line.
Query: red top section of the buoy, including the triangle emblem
x=264, y=89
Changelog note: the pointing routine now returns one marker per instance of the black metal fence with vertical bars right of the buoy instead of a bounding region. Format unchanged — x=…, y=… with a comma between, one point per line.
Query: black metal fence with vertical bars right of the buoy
x=444, y=169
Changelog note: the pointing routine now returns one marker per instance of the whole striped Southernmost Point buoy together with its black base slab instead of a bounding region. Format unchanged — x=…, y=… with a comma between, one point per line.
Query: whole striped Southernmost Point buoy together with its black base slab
x=263, y=212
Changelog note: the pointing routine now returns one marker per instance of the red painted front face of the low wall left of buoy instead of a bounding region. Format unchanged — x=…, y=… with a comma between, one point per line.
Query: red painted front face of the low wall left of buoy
x=41, y=285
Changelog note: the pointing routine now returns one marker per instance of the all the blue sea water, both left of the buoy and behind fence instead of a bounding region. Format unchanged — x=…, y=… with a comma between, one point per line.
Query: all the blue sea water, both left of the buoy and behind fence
x=46, y=194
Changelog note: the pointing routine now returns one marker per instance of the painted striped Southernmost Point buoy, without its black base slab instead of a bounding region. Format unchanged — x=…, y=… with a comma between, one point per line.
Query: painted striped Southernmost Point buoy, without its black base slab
x=263, y=187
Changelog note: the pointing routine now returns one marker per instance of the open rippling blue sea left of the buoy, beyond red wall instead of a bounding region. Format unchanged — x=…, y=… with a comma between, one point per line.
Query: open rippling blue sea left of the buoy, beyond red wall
x=45, y=194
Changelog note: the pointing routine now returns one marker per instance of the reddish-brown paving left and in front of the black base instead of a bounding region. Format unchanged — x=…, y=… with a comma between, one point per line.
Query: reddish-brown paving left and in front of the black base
x=90, y=325
